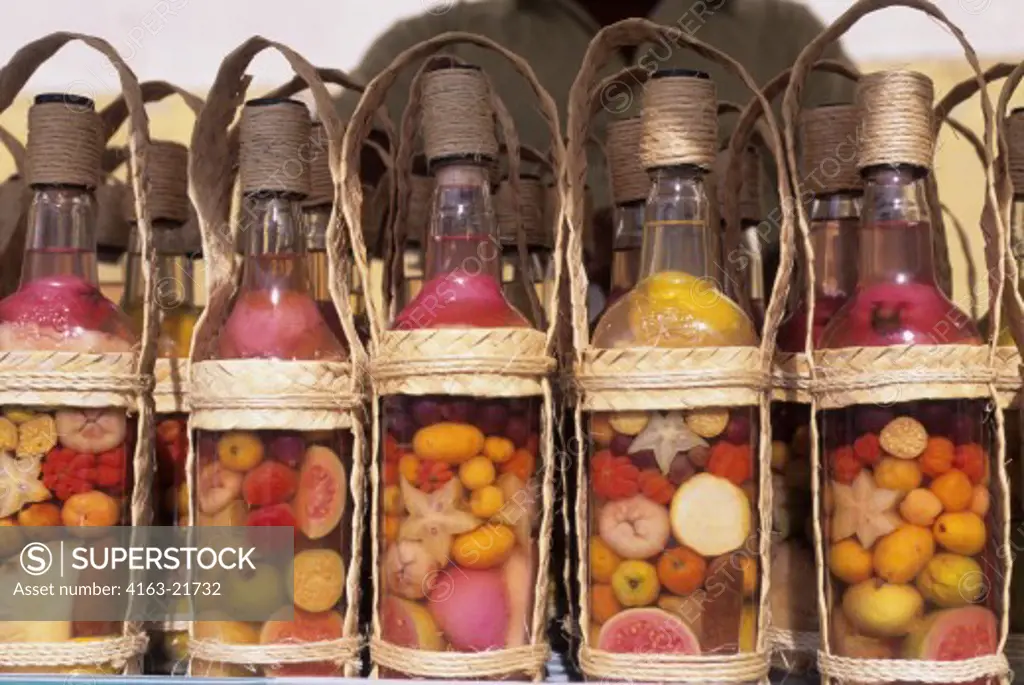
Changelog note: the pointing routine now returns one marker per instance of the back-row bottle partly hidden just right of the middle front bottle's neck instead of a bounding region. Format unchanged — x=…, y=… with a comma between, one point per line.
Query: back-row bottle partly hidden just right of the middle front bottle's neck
x=538, y=252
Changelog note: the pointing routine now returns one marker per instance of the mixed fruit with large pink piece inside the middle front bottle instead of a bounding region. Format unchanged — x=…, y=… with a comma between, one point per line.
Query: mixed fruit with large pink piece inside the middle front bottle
x=460, y=503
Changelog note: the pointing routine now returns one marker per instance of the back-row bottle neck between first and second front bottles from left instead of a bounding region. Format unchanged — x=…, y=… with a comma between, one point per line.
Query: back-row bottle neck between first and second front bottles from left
x=174, y=270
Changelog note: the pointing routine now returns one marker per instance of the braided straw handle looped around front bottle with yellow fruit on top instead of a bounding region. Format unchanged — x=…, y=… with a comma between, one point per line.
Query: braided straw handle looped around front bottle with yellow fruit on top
x=581, y=108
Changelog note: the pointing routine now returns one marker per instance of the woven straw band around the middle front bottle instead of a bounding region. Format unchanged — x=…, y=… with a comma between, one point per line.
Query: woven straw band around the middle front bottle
x=484, y=363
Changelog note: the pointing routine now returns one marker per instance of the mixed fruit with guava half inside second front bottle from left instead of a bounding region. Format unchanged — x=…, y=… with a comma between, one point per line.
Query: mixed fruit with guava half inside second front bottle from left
x=297, y=480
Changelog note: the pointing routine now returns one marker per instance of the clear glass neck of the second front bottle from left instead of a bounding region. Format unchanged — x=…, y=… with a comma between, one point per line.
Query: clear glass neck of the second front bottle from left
x=275, y=243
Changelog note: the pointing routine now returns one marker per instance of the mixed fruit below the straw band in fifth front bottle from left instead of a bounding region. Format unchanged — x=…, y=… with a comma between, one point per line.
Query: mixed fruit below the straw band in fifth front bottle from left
x=911, y=534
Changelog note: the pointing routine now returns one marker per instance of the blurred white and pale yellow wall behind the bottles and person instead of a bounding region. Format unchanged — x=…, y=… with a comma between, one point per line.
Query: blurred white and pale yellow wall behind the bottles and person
x=184, y=41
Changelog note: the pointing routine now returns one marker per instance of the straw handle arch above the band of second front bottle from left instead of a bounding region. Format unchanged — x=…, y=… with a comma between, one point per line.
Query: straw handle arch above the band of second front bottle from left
x=211, y=182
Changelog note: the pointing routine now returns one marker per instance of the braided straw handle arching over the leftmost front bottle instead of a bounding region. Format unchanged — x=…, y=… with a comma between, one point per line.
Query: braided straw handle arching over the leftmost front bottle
x=13, y=78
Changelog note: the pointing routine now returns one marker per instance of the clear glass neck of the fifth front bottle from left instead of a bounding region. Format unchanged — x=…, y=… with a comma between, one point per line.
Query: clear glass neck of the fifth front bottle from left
x=897, y=234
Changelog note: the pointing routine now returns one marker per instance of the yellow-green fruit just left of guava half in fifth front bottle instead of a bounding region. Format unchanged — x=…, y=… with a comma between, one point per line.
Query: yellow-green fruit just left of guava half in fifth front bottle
x=882, y=610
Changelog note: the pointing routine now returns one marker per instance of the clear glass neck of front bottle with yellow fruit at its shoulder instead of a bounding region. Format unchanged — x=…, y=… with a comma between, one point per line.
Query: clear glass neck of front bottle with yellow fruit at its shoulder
x=675, y=231
